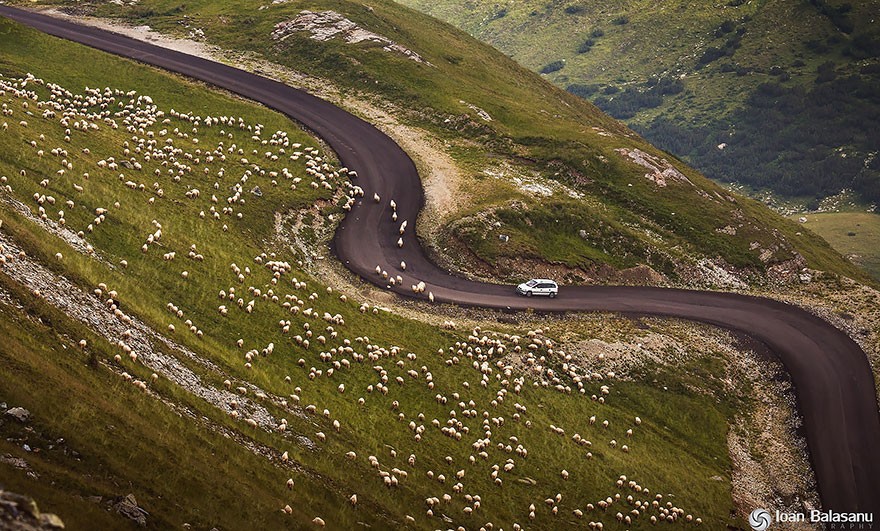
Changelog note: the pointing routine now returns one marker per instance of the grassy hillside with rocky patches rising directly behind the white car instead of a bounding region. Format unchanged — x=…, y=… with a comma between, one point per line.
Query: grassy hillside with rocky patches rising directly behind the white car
x=497, y=118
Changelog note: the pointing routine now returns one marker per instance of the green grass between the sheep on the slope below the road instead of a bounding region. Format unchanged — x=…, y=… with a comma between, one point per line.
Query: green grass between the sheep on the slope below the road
x=181, y=469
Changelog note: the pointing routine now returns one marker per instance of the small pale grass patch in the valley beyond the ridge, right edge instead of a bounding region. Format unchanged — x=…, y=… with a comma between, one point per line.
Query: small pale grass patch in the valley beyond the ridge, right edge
x=852, y=234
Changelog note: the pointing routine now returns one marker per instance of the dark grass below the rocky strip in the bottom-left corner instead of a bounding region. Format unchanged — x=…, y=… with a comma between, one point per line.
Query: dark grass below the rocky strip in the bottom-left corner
x=118, y=441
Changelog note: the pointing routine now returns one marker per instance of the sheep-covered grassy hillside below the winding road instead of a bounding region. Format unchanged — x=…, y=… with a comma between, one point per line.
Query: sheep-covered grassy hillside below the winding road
x=93, y=303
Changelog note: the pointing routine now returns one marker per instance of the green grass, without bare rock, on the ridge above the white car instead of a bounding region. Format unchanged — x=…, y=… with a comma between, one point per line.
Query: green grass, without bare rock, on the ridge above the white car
x=535, y=128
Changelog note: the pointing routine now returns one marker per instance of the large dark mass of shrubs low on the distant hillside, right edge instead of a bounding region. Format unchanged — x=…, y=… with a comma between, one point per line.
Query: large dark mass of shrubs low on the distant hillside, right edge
x=785, y=138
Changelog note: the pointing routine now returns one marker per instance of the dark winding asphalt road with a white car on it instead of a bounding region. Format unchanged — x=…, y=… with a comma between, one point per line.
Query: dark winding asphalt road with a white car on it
x=831, y=375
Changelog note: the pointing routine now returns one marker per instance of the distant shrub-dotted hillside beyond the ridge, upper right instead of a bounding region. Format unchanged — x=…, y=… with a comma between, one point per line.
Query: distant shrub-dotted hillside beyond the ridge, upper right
x=790, y=88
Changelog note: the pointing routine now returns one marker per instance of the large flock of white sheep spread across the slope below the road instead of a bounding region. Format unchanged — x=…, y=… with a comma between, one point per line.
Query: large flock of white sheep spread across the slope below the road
x=161, y=158
